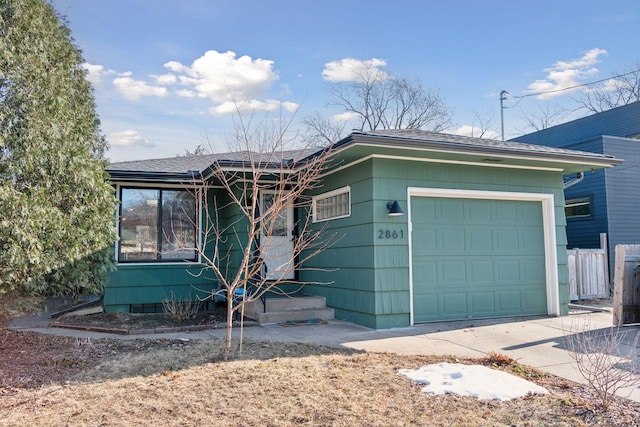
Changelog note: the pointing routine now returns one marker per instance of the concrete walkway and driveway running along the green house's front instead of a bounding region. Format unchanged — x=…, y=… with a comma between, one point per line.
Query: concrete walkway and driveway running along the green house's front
x=536, y=341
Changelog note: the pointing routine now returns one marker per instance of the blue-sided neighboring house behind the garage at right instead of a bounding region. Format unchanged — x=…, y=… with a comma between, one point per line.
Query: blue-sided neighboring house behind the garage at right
x=607, y=200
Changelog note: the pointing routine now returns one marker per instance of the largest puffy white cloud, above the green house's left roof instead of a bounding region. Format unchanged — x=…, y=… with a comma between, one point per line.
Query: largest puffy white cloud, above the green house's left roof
x=222, y=77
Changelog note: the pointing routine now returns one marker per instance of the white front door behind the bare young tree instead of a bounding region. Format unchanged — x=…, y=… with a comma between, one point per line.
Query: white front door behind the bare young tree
x=277, y=247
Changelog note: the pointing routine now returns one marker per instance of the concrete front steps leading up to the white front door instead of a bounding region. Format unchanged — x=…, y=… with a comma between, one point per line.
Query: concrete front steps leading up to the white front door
x=283, y=308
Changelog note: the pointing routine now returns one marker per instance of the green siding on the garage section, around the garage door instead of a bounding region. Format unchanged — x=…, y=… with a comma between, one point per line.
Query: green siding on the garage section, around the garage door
x=382, y=287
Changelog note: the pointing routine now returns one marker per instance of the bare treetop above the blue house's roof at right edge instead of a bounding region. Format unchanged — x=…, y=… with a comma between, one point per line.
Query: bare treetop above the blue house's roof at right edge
x=622, y=89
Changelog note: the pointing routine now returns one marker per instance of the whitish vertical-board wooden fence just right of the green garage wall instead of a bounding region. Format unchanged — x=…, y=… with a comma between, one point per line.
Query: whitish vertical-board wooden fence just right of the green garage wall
x=588, y=272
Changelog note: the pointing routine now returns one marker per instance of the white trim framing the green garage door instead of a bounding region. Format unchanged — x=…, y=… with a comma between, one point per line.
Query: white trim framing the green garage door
x=548, y=224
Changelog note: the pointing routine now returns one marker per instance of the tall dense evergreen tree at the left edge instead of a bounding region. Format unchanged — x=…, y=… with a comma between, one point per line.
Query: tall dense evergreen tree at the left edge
x=56, y=205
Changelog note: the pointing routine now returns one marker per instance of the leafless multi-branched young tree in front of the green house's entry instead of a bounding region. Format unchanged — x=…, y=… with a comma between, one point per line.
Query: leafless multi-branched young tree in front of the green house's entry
x=235, y=246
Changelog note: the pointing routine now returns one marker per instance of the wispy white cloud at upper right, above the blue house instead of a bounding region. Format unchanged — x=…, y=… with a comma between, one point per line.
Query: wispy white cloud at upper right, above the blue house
x=565, y=74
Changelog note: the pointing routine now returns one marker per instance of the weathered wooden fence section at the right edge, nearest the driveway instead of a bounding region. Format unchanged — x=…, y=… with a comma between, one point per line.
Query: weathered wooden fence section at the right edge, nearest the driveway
x=626, y=295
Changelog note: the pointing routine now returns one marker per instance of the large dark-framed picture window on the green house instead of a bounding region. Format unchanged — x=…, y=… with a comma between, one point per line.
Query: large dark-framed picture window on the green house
x=157, y=225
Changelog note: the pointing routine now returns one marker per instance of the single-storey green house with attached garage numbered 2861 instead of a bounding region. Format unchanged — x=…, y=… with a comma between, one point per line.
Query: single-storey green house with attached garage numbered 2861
x=434, y=227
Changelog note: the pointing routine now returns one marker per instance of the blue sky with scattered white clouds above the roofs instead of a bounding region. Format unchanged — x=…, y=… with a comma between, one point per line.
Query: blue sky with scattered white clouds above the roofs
x=163, y=70
